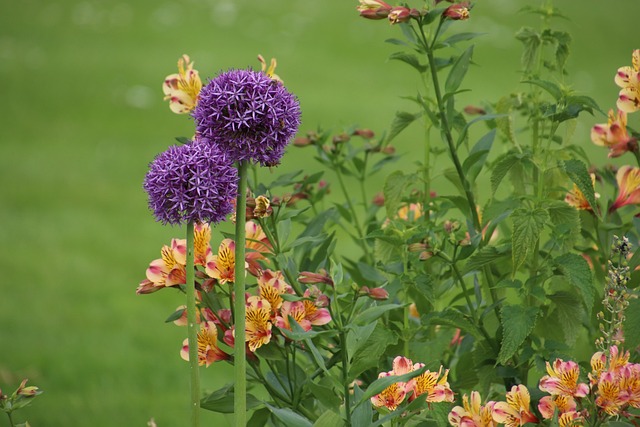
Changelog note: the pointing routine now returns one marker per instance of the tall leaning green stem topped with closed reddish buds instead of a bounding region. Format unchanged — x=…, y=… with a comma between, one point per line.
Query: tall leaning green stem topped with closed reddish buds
x=446, y=129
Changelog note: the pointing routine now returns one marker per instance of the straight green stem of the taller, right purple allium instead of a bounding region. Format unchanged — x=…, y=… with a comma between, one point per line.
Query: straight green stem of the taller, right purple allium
x=240, y=360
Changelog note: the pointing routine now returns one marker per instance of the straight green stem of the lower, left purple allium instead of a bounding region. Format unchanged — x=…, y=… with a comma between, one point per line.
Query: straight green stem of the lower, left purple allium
x=191, y=330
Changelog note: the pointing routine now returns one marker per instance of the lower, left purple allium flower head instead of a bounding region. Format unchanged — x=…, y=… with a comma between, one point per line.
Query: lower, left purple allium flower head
x=191, y=182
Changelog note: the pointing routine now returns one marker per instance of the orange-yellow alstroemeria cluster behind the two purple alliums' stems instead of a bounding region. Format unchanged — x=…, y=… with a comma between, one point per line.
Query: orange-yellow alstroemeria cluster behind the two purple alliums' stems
x=215, y=272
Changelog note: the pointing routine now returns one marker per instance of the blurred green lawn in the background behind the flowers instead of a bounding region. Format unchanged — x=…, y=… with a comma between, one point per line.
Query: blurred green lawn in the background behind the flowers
x=82, y=115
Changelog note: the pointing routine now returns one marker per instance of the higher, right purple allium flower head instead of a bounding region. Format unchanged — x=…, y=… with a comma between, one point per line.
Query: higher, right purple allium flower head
x=249, y=115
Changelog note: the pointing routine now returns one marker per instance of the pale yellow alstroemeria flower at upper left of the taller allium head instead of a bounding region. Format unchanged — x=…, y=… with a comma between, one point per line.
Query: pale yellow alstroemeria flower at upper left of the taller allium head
x=182, y=89
